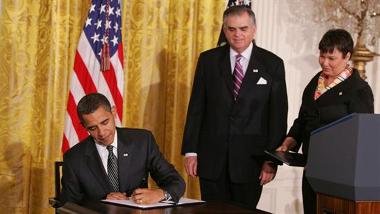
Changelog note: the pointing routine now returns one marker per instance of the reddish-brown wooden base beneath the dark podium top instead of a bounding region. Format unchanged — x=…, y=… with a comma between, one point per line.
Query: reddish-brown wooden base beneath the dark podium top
x=334, y=205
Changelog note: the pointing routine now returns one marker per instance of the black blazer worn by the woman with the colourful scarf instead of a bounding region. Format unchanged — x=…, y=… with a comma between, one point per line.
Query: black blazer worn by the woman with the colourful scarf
x=353, y=95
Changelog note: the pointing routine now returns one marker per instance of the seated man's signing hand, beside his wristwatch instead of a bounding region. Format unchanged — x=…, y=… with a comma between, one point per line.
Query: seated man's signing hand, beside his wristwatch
x=147, y=196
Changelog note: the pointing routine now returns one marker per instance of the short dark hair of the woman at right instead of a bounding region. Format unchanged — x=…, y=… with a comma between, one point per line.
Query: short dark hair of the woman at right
x=339, y=39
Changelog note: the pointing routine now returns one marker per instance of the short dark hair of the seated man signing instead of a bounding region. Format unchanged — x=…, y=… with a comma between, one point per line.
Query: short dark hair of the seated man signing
x=90, y=103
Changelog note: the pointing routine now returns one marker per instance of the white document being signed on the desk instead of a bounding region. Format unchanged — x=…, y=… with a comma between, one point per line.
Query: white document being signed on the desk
x=131, y=203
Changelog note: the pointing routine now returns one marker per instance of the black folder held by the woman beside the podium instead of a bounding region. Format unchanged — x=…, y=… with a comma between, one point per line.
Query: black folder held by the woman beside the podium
x=288, y=158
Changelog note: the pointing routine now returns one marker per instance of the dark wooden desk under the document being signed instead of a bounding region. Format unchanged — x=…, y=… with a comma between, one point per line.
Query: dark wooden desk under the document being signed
x=98, y=207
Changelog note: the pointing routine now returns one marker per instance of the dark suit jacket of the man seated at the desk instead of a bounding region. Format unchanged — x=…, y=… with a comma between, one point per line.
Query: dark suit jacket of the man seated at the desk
x=84, y=177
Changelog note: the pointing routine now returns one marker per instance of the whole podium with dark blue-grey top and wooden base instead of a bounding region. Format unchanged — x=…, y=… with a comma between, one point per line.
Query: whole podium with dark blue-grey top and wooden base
x=344, y=165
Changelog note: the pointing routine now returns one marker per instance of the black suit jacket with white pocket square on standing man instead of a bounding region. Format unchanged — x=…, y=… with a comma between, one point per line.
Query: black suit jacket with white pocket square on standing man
x=221, y=130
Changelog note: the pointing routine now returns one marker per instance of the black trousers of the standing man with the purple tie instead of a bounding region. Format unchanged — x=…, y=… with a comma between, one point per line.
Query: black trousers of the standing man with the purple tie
x=244, y=194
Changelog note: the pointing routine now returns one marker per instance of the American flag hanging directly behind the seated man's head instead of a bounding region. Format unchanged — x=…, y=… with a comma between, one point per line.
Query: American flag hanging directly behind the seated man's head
x=98, y=66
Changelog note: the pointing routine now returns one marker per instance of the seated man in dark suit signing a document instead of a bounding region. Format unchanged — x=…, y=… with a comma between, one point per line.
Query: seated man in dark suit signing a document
x=91, y=172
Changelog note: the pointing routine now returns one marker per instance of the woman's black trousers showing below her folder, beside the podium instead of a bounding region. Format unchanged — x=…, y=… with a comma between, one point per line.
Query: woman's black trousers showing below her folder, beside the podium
x=309, y=197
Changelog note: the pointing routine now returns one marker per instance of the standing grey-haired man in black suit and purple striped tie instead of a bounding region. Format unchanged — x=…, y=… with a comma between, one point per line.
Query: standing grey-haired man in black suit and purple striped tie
x=238, y=109
